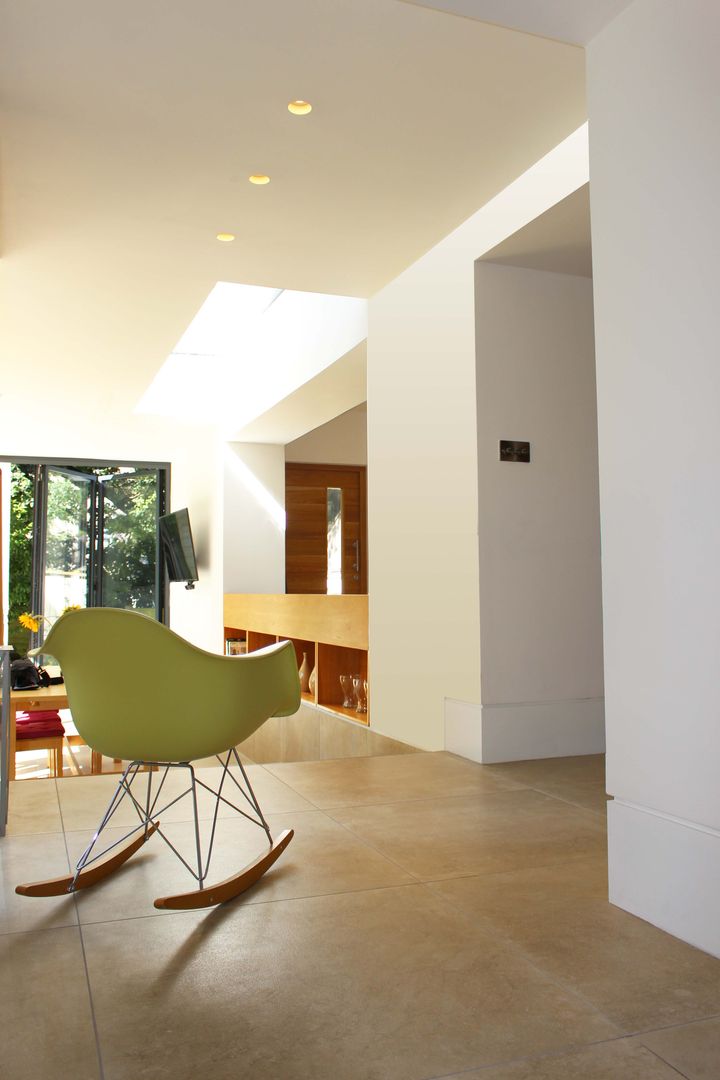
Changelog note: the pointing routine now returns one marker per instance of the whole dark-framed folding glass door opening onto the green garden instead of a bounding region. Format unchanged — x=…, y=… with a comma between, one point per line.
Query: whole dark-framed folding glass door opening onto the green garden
x=84, y=536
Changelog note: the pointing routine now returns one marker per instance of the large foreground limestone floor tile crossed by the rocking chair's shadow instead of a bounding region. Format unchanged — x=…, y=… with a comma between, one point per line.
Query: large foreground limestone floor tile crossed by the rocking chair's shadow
x=374, y=985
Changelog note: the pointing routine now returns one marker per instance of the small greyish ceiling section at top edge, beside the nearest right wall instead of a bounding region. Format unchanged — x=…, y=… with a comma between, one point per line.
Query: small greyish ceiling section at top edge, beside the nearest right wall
x=573, y=21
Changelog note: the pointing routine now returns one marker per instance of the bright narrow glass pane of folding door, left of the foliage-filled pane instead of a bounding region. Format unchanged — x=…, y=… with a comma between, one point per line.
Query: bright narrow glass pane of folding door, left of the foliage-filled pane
x=67, y=542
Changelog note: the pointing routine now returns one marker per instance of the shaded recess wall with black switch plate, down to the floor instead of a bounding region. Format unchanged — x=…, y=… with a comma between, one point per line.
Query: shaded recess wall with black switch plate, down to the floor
x=541, y=617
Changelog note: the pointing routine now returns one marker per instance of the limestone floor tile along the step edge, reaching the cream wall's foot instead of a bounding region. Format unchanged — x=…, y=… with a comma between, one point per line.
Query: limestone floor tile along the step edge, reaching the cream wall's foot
x=389, y=779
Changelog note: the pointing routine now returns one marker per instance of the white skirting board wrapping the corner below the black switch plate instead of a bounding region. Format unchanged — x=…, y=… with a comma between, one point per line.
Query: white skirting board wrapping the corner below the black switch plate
x=492, y=734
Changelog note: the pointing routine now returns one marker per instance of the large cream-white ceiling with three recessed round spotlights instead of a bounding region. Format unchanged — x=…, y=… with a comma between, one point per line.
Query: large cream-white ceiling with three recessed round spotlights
x=130, y=130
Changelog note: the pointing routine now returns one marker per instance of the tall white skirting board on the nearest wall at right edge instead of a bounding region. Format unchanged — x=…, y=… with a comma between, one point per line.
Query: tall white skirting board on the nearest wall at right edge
x=667, y=871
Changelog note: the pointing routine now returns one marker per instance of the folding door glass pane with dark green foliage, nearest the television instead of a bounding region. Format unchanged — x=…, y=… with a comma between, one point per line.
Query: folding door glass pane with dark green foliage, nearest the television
x=129, y=550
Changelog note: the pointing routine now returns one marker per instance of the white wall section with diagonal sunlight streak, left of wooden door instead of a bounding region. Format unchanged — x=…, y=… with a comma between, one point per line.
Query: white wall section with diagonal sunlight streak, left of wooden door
x=254, y=518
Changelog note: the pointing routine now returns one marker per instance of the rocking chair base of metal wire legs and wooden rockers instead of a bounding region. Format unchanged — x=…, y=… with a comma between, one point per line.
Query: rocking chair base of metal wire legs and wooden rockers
x=96, y=866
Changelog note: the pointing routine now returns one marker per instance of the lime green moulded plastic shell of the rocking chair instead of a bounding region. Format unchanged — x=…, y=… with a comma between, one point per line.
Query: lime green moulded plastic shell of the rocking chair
x=139, y=692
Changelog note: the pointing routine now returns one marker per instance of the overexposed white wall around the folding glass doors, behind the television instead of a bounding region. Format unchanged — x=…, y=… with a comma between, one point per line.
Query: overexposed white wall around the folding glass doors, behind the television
x=196, y=482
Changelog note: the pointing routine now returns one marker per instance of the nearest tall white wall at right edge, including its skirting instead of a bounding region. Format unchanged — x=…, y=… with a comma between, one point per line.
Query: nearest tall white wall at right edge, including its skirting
x=656, y=160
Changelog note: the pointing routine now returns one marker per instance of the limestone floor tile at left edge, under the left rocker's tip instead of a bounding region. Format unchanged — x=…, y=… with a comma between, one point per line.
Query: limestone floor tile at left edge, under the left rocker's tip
x=33, y=858
